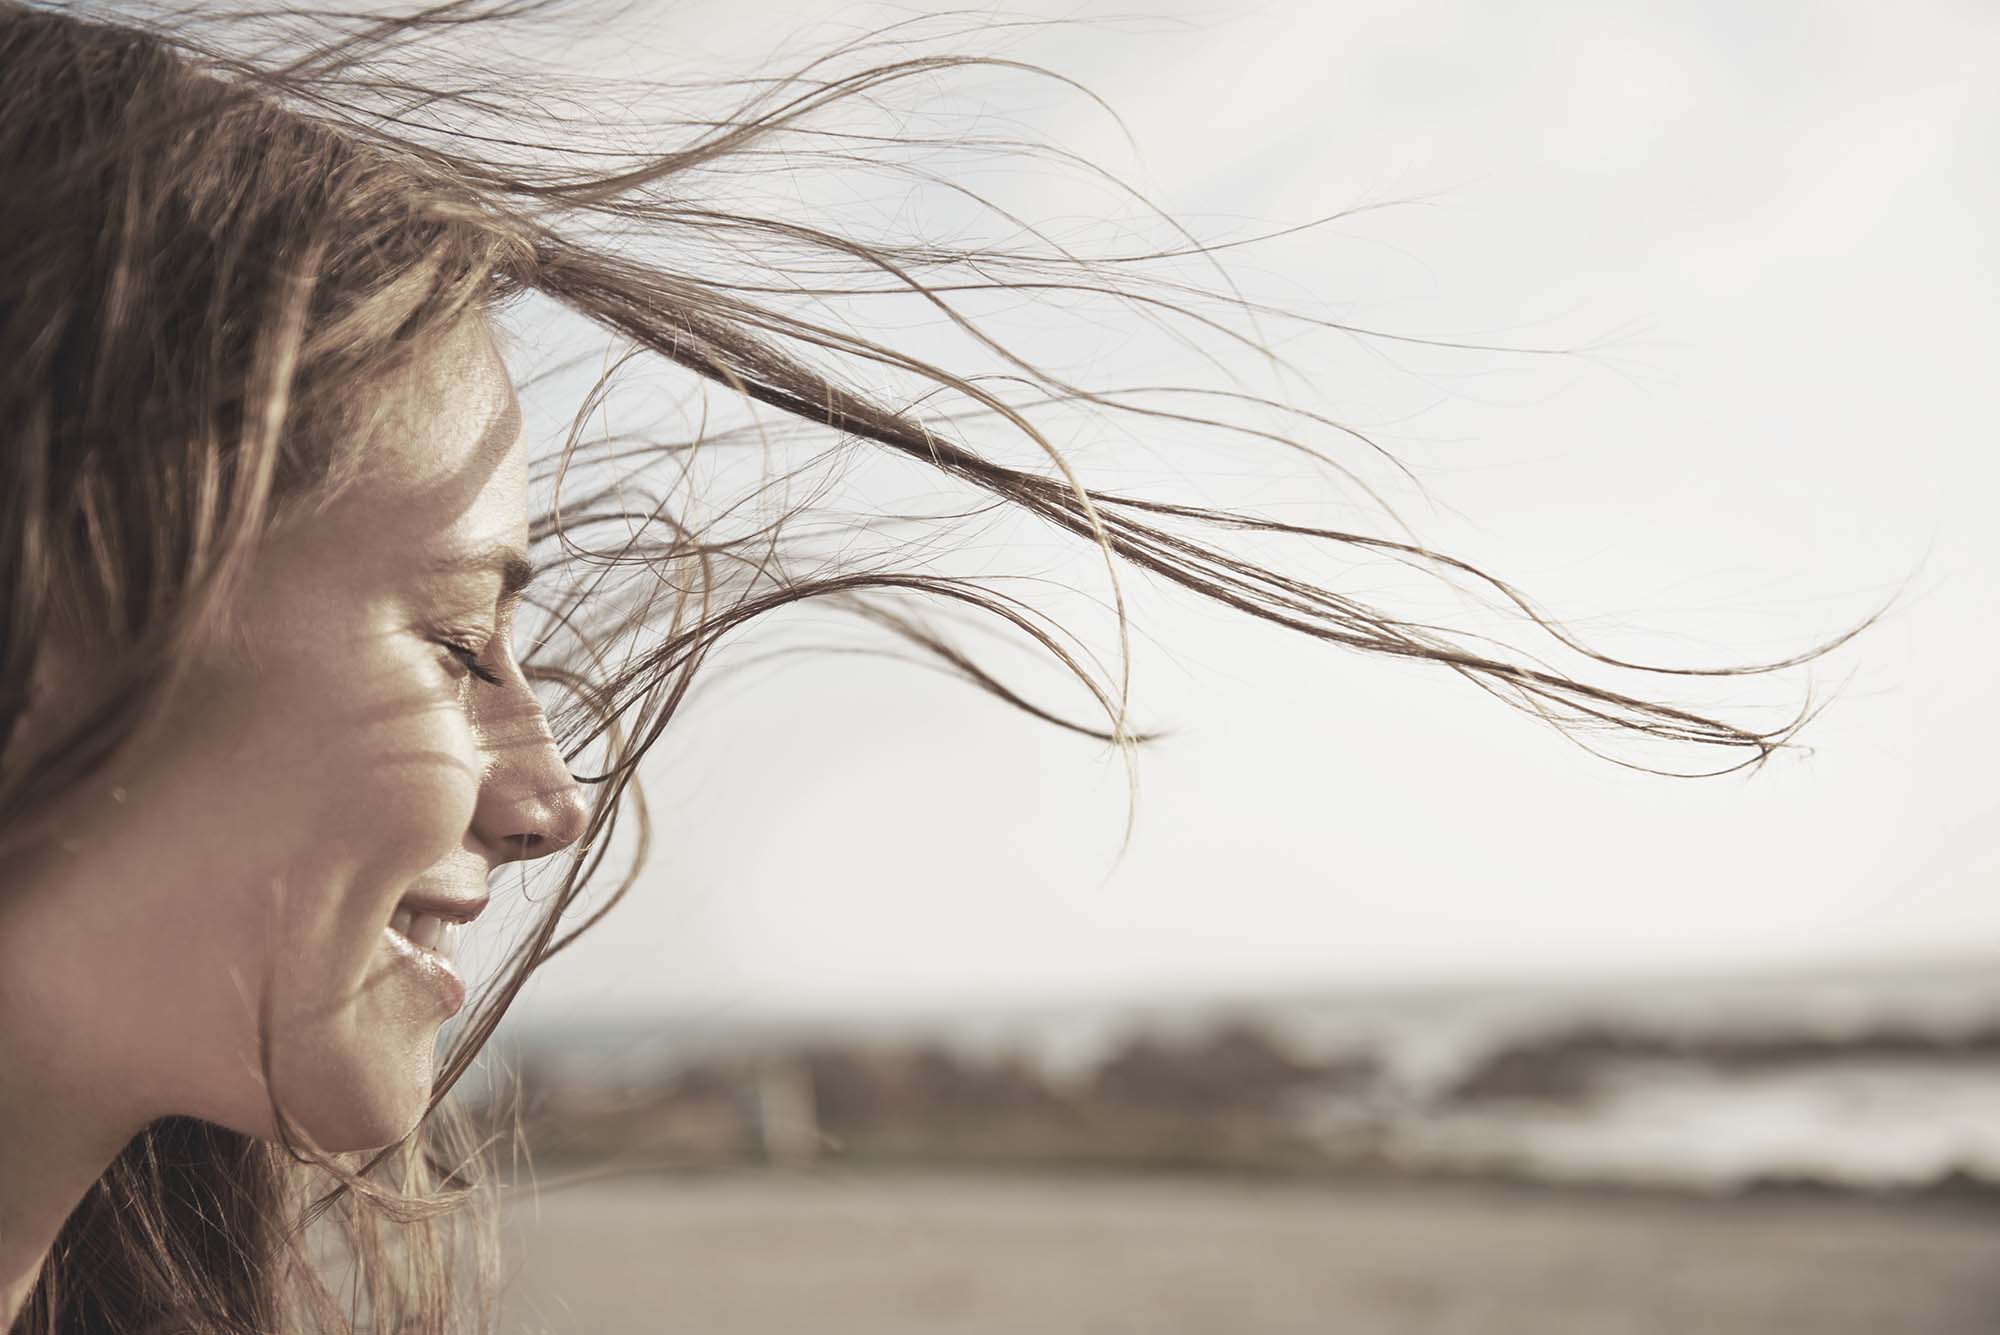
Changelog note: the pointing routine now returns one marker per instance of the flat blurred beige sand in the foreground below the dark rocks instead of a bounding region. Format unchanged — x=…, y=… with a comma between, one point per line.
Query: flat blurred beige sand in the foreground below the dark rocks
x=1111, y=1256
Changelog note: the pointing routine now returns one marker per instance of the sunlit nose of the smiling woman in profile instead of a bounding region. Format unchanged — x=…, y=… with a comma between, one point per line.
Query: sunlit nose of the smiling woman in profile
x=529, y=804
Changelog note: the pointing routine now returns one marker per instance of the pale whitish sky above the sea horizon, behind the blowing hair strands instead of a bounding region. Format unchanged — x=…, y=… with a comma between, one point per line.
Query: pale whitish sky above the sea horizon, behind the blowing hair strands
x=1783, y=211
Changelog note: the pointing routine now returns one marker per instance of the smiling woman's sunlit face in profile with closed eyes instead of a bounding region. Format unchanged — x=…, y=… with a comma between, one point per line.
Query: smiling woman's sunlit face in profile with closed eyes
x=333, y=762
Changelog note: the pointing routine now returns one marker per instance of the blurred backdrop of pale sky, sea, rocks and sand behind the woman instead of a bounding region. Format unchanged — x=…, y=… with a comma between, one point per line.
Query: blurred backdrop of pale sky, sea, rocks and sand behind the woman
x=1399, y=1012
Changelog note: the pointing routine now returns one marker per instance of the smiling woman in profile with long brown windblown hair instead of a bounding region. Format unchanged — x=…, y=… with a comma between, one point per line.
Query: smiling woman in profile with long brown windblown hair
x=265, y=533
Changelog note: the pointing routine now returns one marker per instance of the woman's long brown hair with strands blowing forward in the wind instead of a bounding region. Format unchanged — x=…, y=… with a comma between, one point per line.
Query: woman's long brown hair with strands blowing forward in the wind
x=221, y=237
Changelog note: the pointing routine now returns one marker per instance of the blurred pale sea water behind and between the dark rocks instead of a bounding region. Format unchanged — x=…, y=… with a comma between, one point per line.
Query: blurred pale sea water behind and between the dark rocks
x=1845, y=1112
